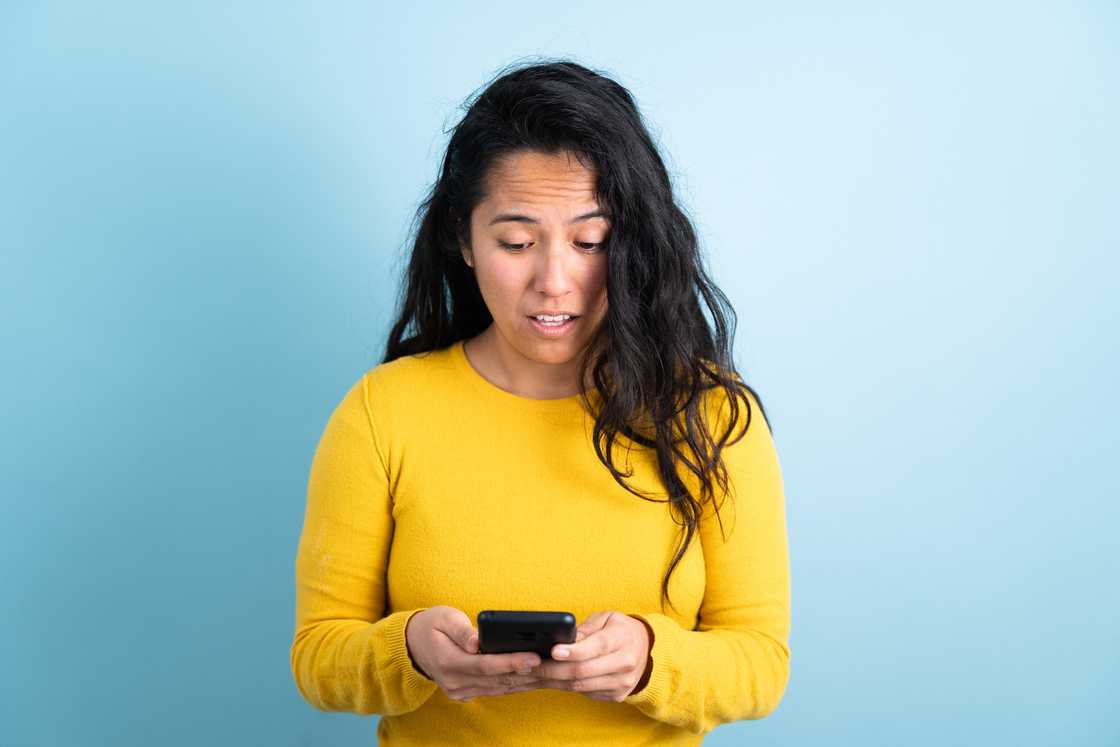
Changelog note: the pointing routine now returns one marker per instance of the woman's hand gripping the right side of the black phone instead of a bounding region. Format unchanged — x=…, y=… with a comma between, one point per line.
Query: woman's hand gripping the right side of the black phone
x=610, y=660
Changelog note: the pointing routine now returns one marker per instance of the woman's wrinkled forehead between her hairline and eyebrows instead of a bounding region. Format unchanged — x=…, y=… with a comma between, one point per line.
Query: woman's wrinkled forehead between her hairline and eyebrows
x=530, y=179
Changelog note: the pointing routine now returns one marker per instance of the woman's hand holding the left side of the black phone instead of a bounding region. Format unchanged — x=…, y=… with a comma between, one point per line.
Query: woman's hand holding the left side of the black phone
x=444, y=646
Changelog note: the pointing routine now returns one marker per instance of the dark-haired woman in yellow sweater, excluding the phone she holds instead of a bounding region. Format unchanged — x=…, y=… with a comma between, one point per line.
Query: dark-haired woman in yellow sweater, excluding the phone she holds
x=554, y=427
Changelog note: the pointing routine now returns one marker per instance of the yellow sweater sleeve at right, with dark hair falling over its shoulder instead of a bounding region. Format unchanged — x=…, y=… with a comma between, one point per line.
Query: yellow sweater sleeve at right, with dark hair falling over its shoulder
x=735, y=665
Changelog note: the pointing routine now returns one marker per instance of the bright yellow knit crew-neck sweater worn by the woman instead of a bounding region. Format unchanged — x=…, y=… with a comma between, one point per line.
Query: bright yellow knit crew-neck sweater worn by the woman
x=433, y=487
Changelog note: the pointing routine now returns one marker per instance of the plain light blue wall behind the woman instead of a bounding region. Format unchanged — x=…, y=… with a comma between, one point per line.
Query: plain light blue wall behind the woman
x=203, y=212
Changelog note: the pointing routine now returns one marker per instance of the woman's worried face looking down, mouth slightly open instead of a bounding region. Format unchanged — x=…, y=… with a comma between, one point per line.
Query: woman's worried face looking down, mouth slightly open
x=537, y=247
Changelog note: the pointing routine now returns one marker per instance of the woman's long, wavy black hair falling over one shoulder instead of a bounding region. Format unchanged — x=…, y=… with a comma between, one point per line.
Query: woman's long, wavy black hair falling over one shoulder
x=656, y=352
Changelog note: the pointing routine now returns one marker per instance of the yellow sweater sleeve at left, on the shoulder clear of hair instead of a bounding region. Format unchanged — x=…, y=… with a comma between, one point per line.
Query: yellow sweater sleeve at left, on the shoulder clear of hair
x=348, y=655
